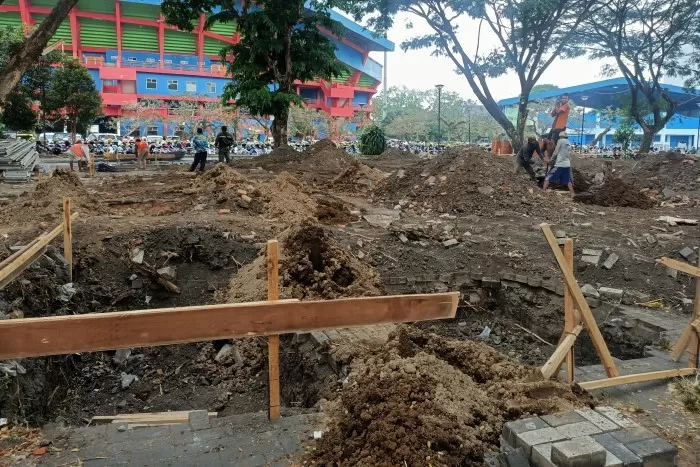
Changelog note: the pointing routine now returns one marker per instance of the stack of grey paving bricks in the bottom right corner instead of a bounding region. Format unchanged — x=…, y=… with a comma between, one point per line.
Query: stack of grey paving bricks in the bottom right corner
x=602, y=437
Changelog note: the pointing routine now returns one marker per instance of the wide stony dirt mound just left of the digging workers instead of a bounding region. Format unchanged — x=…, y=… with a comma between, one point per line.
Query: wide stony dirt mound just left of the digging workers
x=465, y=179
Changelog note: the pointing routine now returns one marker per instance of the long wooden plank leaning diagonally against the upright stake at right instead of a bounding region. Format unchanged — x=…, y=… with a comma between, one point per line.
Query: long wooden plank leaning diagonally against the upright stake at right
x=581, y=304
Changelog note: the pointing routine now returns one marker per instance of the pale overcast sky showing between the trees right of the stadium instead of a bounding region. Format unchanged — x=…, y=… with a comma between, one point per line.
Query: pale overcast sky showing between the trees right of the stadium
x=418, y=69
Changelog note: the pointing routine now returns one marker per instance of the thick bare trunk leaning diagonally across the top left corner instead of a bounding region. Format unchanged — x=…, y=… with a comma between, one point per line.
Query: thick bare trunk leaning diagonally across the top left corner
x=32, y=48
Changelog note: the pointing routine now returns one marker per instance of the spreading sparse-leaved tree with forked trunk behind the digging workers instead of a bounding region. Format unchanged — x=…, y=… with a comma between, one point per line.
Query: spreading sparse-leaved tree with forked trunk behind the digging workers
x=530, y=35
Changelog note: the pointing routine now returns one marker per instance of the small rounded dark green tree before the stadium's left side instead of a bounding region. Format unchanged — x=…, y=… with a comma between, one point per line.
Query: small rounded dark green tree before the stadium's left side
x=73, y=98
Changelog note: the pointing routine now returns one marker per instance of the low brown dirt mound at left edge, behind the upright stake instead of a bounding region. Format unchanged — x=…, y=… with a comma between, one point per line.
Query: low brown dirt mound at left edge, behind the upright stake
x=45, y=203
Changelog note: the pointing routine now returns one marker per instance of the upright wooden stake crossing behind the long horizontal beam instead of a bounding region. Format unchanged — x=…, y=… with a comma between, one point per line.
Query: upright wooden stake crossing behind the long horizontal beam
x=273, y=341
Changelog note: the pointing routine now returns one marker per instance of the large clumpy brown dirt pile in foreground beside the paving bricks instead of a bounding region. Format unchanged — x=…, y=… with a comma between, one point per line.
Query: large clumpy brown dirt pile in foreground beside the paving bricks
x=421, y=399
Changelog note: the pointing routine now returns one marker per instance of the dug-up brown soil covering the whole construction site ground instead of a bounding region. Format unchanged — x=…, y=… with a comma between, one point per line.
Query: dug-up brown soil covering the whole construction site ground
x=402, y=236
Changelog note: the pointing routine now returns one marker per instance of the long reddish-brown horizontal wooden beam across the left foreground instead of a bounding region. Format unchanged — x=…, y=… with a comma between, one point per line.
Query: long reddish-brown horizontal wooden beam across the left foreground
x=56, y=335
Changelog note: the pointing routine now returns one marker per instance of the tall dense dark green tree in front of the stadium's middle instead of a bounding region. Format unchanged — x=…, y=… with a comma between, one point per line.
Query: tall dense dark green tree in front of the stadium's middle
x=280, y=43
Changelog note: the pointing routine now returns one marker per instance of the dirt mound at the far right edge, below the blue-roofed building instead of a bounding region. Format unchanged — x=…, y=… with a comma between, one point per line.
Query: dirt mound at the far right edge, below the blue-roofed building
x=679, y=172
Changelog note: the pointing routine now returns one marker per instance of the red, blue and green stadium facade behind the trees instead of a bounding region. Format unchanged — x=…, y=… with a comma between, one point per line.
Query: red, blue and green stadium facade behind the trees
x=132, y=54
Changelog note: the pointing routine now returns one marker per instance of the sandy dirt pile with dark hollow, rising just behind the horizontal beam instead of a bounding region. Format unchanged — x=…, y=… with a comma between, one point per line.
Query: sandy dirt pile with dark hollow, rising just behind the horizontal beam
x=312, y=266
